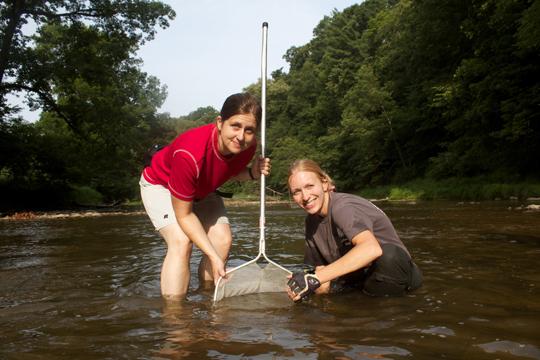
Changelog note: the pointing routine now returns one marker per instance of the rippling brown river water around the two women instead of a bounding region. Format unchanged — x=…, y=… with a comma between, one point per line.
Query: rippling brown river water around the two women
x=88, y=288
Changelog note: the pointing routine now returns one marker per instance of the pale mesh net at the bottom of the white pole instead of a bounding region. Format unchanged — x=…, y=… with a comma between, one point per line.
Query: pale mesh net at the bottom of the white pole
x=250, y=278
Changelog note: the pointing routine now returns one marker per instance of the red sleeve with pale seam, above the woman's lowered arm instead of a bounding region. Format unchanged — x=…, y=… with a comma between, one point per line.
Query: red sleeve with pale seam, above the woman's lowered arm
x=184, y=176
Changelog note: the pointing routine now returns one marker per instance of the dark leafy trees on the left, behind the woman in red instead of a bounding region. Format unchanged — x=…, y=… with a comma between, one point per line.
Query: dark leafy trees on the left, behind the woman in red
x=98, y=109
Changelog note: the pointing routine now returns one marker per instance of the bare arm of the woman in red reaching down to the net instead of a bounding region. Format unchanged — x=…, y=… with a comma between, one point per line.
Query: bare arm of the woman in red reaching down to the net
x=192, y=227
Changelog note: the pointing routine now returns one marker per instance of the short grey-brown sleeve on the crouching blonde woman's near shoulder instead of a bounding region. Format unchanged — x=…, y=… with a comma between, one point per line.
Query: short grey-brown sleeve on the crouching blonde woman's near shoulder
x=351, y=219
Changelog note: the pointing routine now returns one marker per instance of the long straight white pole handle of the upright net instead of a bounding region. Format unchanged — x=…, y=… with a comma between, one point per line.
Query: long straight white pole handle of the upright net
x=263, y=138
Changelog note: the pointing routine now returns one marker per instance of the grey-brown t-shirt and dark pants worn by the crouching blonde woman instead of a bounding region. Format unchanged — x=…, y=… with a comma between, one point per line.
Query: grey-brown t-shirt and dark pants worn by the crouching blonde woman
x=329, y=238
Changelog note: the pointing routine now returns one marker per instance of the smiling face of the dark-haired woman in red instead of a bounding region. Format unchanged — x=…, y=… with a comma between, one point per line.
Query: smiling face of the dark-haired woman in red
x=236, y=134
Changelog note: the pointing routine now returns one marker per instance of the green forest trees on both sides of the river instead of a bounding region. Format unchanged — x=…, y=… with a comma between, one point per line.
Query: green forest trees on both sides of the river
x=385, y=92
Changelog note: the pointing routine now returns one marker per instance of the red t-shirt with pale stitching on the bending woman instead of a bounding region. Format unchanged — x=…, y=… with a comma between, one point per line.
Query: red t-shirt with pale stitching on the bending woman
x=191, y=166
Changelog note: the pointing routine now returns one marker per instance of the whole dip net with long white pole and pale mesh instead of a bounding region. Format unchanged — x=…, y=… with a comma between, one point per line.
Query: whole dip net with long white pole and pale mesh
x=260, y=275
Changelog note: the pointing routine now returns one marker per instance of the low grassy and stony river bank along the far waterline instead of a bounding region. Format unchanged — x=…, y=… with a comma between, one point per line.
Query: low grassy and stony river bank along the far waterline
x=521, y=196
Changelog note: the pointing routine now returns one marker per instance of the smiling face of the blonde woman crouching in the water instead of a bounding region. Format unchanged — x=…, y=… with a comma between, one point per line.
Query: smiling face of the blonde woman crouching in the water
x=309, y=192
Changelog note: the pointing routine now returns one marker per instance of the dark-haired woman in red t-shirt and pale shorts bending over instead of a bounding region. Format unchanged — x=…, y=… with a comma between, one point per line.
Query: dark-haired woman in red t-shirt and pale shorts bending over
x=178, y=190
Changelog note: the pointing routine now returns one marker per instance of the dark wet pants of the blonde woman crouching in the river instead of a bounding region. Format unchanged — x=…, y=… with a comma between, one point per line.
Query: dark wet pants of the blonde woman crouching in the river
x=393, y=274
